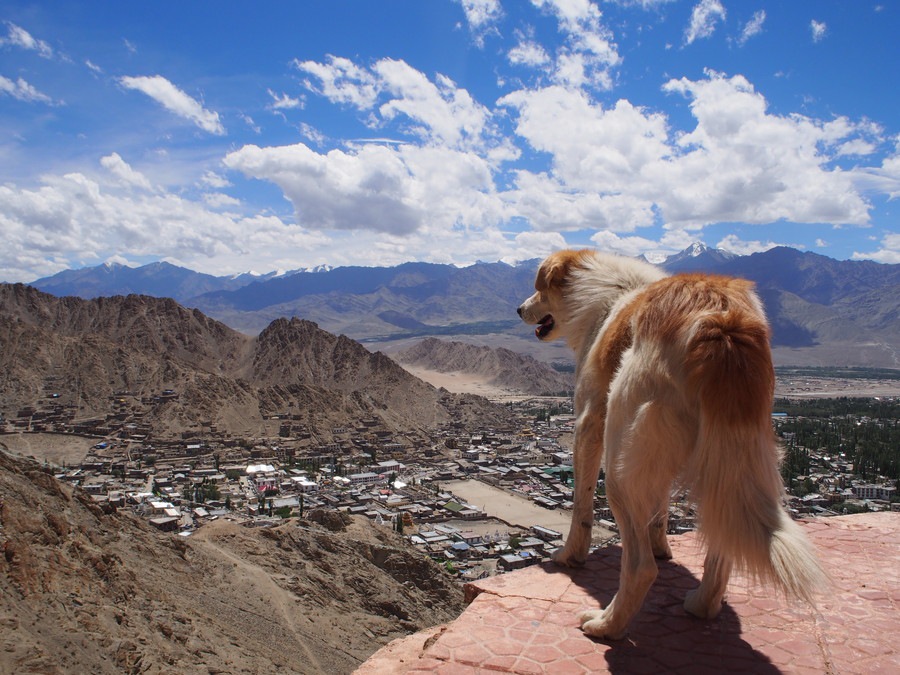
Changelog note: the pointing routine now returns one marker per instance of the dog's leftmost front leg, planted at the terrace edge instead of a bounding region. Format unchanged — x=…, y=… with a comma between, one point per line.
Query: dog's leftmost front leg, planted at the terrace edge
x=588, y=454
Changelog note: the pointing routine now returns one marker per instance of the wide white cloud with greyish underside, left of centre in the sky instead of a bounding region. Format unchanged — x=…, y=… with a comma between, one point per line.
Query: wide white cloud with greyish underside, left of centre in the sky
x=394, y=190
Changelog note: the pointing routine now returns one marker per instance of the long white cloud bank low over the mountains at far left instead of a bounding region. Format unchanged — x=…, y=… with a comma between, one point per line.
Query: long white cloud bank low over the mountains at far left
x=72, y=220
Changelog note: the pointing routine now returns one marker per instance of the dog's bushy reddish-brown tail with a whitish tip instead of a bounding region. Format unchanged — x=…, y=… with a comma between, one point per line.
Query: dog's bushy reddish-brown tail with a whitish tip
x=734, y=478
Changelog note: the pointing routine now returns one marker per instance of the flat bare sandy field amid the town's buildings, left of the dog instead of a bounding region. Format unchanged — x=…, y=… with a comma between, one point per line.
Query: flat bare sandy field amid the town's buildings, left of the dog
x=513, y=509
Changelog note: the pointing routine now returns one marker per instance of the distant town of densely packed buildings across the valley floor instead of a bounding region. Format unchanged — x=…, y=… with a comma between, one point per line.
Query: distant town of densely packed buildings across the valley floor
x=178, y=485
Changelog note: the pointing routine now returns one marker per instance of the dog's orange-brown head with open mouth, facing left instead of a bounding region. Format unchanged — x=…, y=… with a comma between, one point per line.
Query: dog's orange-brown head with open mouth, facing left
x=546, y=308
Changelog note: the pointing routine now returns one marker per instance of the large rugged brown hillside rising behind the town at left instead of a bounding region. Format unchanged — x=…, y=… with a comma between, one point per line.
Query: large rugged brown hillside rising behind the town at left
x=84, y=353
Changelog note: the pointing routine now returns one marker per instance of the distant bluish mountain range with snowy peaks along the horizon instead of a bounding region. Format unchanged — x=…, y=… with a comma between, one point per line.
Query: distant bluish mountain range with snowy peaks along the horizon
x=823, y=311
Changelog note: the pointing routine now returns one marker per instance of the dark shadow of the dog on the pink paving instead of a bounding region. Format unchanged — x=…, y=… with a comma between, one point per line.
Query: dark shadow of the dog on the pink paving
x=663, y=637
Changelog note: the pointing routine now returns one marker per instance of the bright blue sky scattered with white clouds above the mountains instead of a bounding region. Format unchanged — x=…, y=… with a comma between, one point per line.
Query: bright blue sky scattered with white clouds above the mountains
x=234, y=136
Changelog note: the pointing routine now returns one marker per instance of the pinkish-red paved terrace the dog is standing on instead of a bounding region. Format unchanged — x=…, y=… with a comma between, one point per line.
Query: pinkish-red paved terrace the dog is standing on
x=526, y=621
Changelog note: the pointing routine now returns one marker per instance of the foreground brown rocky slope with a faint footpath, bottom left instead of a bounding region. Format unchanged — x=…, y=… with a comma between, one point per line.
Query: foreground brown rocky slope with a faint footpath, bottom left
x=87, y=592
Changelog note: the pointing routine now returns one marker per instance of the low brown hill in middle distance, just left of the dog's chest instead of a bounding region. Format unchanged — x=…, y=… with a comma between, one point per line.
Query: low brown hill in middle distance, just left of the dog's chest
x=501, y=367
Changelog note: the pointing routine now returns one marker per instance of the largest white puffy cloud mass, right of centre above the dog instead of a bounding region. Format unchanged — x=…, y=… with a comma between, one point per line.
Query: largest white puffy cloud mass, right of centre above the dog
x=620, y=168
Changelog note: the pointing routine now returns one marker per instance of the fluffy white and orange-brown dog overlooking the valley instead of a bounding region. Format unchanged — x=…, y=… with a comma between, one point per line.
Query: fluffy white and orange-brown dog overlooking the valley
x=674, y=387
